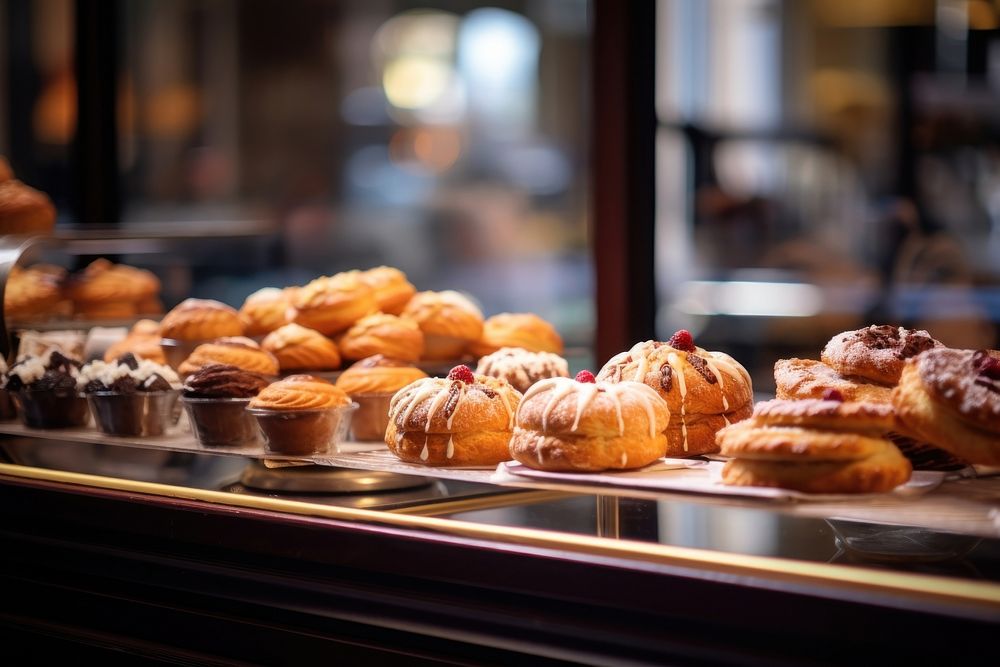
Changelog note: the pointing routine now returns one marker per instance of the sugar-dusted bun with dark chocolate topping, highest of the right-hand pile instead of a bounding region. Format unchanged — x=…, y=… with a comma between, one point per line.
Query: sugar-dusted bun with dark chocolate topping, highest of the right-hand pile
x=876, y=353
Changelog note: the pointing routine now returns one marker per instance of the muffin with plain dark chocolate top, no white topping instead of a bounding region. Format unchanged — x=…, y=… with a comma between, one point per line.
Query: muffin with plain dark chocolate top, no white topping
x=216, y=397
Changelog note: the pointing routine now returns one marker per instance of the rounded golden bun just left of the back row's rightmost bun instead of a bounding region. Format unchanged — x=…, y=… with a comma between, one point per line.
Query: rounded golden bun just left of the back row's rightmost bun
x=450, y=322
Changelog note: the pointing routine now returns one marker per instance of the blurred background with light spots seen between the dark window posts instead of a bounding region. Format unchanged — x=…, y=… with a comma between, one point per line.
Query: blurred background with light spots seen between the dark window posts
x=819, y=164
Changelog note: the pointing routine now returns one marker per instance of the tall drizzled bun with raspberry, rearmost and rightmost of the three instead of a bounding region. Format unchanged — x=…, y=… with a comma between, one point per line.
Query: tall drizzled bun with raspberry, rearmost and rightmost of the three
x=705, y=390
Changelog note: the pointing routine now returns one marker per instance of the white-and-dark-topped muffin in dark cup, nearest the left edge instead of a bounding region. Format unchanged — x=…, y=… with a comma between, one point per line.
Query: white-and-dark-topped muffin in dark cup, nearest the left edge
x=44, y=390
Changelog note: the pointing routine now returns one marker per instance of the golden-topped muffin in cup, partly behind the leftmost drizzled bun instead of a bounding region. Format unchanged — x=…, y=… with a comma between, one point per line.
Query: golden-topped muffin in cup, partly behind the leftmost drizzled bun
x=371, y=383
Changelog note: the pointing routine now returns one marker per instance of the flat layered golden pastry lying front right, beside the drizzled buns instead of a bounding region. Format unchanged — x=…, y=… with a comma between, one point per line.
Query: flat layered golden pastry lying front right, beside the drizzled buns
x=814, y=446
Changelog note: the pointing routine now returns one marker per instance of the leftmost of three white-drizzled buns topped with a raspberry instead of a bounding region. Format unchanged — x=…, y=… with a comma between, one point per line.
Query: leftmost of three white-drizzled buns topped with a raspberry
x=462, y=420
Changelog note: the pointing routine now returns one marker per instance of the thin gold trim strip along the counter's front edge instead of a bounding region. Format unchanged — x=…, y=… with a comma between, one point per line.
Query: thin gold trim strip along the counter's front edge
x=927, y=587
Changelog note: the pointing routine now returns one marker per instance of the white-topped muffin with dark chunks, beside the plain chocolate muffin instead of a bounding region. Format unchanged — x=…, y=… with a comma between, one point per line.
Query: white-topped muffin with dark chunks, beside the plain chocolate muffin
x=131, y=397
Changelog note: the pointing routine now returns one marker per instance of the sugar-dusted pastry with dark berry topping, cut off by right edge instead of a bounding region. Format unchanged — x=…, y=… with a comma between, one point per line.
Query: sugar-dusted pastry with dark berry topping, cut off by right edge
x=951, y=398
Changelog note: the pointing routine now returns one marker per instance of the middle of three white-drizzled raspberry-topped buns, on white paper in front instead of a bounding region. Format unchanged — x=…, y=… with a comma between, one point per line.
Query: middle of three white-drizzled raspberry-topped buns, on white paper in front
x=572, y=425
